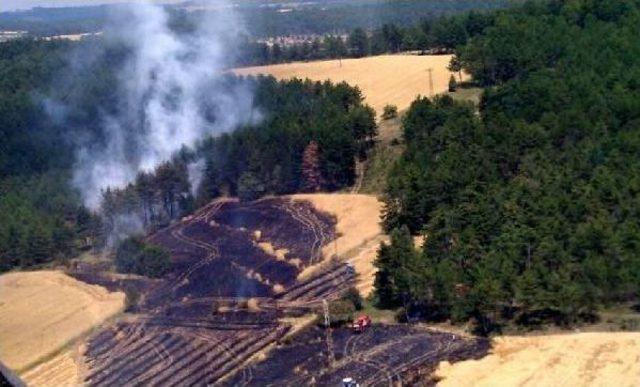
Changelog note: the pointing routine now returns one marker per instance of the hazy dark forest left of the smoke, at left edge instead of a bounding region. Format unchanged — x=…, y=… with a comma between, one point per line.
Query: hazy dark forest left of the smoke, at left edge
x=40, y=215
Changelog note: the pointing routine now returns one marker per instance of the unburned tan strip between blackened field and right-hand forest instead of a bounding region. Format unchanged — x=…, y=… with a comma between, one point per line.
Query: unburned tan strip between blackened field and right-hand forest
x=359, y=230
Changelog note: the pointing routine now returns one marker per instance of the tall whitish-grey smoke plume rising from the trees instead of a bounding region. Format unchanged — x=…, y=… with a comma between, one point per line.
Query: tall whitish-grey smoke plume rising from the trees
x=172, y=94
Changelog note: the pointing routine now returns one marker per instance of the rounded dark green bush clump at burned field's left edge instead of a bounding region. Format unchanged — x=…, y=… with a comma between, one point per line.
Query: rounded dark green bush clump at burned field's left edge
x=135, y=256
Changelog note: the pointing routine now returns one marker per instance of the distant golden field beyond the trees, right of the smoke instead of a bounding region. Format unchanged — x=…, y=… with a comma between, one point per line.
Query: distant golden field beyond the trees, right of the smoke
x=384, y=79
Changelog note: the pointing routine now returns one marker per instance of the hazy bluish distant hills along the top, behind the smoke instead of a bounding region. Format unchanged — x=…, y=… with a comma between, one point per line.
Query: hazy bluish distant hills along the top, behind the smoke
x=272, y=18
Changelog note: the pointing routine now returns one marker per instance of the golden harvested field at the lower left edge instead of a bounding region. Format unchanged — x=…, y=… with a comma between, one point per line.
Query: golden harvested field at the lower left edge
x=43, y=311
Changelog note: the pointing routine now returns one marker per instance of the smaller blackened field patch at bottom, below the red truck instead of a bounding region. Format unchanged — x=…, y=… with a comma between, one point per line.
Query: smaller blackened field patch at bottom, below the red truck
x=382, y=355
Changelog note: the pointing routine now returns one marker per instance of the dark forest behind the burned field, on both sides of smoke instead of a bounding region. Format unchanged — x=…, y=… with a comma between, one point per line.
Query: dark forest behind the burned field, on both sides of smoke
x=42, y=216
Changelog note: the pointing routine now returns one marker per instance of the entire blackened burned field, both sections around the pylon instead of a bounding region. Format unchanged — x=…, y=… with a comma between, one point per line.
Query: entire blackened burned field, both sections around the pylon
x=233, y=275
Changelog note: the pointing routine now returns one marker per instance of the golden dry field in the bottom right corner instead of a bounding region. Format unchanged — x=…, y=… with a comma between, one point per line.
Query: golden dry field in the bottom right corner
x=582, y=359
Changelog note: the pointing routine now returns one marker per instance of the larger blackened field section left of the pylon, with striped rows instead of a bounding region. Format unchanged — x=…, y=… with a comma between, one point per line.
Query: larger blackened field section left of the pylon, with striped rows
x=220, y=303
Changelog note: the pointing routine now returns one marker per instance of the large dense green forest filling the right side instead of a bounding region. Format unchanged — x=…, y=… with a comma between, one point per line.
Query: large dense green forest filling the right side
x=529, y=208
